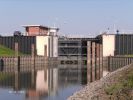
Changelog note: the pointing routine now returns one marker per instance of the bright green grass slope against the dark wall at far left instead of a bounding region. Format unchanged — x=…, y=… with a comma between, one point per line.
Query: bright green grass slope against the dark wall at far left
x=4, y=51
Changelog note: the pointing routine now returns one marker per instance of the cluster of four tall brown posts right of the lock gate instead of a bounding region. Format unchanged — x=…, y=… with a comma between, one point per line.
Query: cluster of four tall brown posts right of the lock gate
x=94, y=61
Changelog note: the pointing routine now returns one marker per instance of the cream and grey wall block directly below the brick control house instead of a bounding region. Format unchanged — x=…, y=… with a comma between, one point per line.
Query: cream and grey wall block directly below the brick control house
x=52, y=45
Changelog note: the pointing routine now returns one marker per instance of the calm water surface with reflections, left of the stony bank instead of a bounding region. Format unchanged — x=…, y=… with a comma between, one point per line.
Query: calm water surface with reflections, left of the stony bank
x=45, y=84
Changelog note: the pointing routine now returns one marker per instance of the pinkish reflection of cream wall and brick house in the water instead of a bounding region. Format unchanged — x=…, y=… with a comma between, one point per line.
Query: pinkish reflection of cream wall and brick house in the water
x=46, y=84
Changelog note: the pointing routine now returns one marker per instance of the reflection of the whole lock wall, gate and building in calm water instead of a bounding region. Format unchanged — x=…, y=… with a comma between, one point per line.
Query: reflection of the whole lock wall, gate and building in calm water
x=42, y=83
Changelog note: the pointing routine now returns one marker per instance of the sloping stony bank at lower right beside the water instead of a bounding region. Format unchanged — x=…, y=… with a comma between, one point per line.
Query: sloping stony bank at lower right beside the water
x=103, y=89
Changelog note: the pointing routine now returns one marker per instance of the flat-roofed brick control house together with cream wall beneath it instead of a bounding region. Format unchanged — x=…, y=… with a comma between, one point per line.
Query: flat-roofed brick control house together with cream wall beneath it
x=46, y=39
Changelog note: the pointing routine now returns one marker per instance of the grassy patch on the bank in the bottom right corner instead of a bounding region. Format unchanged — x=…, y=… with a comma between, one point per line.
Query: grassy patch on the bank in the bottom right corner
x=122, y=89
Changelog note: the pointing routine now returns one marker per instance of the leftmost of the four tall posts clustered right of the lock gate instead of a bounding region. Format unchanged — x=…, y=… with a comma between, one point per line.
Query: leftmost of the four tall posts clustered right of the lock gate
x=89, y=78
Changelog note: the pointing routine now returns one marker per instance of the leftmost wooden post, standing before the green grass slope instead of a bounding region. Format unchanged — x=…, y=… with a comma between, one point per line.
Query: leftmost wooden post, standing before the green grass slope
x=17, y=58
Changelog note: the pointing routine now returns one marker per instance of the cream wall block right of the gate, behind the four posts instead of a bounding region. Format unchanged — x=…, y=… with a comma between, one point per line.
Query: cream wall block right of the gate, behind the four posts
x=108, y=44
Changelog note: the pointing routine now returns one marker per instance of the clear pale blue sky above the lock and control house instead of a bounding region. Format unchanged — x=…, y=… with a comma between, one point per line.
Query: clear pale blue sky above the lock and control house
x=73, y=17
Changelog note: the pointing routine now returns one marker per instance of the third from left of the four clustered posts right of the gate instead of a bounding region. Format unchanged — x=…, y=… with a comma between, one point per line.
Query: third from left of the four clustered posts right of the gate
x=97, y=61
